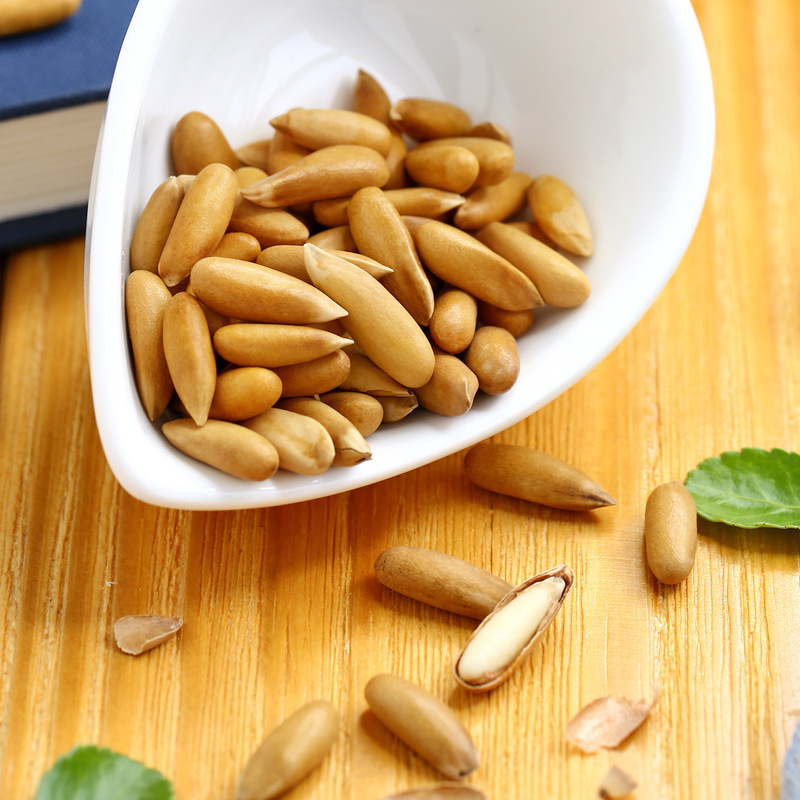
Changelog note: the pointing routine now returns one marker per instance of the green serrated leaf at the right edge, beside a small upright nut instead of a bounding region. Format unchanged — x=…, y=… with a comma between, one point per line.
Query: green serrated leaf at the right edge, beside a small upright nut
x=751, y=488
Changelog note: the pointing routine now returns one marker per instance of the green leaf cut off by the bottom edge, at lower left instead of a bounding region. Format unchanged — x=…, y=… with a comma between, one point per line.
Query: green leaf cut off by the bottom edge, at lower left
x=95, y=773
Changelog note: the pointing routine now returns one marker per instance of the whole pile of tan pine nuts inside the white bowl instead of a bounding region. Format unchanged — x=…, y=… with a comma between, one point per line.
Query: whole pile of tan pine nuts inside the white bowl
x=288, y=297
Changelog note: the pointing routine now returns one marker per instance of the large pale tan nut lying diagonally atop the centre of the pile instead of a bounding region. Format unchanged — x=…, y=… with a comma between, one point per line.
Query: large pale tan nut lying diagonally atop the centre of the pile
x=378, y=323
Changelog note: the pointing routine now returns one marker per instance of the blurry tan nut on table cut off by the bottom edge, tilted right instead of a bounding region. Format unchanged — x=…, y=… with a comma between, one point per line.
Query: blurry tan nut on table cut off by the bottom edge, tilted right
x=290, y=752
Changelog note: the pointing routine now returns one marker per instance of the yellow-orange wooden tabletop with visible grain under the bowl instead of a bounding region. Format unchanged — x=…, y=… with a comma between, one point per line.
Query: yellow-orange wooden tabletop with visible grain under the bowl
x=281, y=605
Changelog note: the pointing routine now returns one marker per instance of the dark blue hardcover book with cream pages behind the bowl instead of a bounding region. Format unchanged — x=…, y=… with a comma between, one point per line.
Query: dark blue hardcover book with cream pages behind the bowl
x=53, y=86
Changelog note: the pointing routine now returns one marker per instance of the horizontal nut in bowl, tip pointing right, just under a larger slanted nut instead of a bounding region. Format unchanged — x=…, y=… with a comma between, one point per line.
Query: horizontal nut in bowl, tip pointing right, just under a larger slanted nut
x=253, y=344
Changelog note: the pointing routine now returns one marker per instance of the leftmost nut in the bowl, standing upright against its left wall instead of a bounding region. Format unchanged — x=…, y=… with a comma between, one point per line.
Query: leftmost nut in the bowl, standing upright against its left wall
x=146, y=297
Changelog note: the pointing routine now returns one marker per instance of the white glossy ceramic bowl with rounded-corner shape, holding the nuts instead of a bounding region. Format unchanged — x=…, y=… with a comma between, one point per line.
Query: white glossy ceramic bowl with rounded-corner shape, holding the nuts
x=615, y=97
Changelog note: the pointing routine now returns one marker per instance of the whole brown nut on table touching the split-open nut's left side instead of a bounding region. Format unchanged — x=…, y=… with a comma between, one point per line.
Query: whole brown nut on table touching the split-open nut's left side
x=440, y=580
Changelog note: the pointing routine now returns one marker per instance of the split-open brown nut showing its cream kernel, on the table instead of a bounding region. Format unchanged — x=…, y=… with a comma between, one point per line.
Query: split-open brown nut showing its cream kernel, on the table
x=498, y=619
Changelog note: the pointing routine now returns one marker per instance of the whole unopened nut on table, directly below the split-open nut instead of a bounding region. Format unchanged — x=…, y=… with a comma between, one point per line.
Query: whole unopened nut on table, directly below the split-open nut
x=426, y=724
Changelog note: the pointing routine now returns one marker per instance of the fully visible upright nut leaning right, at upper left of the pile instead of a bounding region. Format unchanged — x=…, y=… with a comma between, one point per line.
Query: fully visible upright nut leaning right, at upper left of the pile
x=200, y=223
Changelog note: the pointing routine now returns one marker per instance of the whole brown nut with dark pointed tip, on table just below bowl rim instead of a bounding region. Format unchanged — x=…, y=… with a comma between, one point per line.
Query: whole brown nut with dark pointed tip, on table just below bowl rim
x=532, y=475
